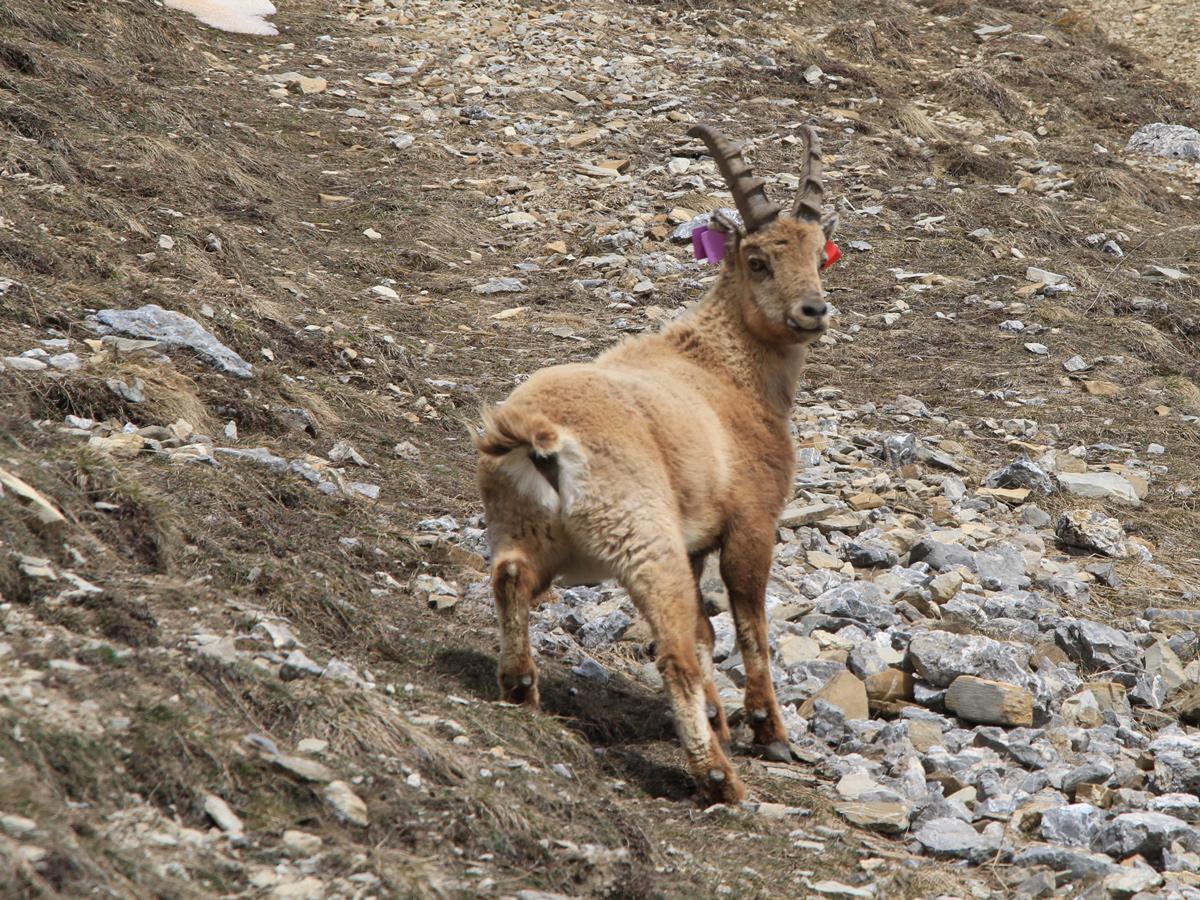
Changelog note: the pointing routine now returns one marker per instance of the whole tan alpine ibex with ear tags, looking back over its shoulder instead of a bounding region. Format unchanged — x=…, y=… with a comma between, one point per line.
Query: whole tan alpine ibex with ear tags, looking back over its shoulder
x=664, y=449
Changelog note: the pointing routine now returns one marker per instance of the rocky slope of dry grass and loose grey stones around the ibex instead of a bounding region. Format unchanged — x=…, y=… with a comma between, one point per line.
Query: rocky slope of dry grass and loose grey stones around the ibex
x=254, y=290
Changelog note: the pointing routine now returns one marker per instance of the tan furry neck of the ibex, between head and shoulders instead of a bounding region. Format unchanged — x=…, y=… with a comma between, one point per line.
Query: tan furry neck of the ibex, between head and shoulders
x=767, y=371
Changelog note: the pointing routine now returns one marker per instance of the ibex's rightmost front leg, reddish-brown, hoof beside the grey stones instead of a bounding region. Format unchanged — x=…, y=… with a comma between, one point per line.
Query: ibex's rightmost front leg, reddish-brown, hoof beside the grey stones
x=746, y=567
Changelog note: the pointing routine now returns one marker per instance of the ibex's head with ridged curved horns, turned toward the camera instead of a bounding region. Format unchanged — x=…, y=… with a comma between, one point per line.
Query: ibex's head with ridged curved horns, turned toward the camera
x=778, y=257
